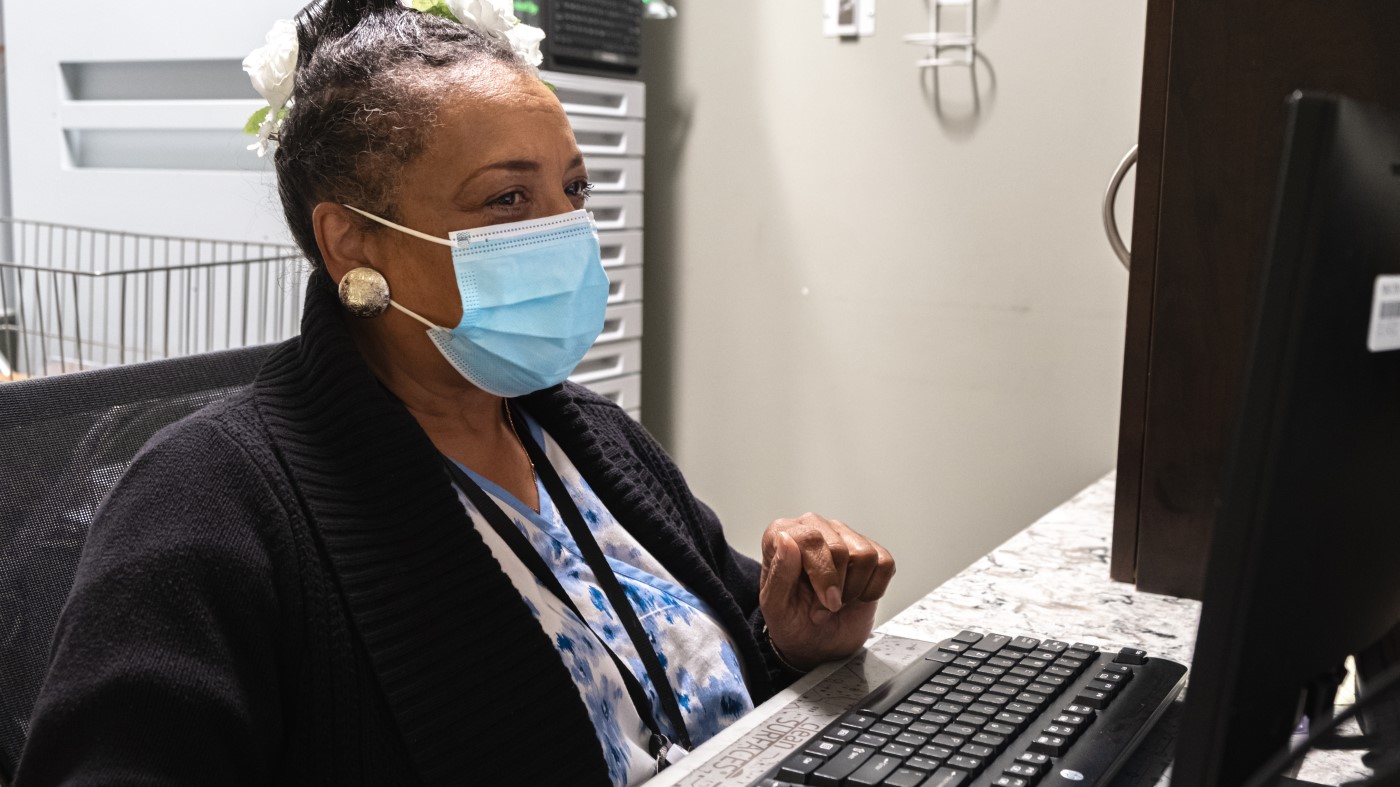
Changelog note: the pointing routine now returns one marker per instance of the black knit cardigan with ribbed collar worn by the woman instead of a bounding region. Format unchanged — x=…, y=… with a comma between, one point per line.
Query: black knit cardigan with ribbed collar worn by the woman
x=285, y=589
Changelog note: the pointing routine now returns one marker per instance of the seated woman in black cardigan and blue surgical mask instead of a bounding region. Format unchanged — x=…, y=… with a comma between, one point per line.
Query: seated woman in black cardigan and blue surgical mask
x=415, y=555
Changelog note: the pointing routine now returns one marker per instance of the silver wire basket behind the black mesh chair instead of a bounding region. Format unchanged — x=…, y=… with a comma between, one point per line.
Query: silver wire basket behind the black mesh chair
x=76, y=298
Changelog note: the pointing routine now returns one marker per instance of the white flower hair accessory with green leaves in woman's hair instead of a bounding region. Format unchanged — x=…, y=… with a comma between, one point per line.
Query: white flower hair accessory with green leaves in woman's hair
x=274, y=67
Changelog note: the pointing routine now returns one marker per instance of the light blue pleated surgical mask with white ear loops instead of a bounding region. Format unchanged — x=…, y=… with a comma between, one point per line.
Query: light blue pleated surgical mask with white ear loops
x=534, y=295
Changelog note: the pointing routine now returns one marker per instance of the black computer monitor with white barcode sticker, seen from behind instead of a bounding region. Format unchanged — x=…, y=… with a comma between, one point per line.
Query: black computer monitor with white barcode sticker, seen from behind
x=1305, y=561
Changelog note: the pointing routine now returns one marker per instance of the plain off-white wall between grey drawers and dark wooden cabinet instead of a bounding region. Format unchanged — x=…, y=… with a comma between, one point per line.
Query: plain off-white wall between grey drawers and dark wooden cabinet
x=890, y=312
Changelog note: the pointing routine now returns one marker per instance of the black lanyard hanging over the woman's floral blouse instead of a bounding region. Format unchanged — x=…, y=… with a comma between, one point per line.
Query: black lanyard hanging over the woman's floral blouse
x=603, y=572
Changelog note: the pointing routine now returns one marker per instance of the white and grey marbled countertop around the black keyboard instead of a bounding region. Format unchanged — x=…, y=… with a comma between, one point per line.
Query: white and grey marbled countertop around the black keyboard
x=1049, y=580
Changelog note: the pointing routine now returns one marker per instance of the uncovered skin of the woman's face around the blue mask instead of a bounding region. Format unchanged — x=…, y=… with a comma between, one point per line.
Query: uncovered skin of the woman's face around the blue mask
x=500, y=152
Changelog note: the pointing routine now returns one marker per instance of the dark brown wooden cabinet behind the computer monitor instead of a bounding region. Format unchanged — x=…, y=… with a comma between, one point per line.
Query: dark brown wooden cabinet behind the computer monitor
x=1210, y=138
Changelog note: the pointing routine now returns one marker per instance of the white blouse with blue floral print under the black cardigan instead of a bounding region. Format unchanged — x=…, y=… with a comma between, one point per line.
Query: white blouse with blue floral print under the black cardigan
x=696, y=653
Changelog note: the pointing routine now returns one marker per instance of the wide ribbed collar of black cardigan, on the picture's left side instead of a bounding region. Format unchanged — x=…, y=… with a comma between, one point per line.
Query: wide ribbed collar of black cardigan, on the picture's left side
x=397, y=540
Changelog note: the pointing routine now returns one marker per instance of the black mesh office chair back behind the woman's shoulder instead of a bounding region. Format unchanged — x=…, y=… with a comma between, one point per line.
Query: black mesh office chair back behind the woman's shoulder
x=64, y=443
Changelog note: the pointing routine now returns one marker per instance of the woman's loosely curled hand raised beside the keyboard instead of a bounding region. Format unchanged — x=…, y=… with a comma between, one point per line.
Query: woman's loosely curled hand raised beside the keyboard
x=820, y=586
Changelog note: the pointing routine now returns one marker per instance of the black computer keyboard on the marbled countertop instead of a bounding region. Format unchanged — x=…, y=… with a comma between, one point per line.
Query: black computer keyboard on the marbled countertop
x=993, y=711
